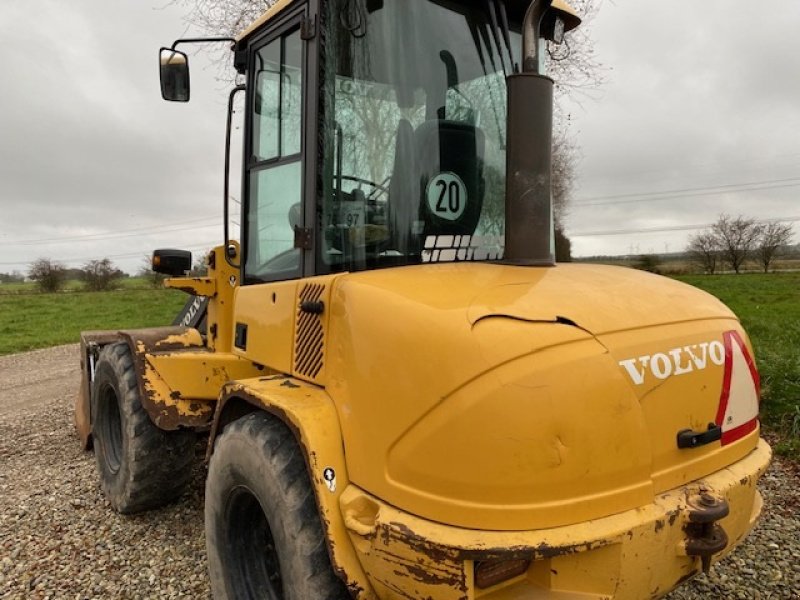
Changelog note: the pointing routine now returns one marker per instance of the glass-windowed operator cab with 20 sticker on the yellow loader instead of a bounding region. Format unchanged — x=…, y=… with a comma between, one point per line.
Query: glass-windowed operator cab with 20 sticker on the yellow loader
x=376, y=133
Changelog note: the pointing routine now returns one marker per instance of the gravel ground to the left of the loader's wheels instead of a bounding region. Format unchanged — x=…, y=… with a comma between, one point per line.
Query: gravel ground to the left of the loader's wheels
x=59, y=537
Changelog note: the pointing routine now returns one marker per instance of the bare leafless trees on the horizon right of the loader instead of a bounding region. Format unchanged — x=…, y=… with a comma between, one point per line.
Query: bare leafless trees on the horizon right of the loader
x=732, y=241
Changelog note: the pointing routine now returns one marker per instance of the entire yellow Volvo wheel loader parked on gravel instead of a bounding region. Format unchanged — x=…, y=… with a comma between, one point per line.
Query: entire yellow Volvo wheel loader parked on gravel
x=404, y=395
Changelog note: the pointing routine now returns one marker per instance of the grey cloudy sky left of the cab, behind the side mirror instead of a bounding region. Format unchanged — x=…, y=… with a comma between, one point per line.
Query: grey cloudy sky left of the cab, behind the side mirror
x=88, y=147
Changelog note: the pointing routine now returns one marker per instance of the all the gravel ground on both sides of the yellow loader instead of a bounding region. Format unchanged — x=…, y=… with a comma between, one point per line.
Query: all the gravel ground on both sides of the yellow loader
x=60, y=539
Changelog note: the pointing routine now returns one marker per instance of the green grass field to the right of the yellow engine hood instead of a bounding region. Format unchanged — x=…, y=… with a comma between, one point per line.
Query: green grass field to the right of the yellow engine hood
x=769, y=308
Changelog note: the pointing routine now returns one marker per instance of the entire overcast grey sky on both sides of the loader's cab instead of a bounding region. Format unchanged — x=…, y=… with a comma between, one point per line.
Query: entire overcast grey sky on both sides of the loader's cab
x=700, y=96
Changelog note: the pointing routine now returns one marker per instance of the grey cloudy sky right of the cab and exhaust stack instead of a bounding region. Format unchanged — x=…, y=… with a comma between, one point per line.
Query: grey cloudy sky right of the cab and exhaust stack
x=701, y=94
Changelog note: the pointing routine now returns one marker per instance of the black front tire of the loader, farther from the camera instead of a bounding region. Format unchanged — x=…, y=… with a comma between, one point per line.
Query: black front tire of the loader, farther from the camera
x=140, y=466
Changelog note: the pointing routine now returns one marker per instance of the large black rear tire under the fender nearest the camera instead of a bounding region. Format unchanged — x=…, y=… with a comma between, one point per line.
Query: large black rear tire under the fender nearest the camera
x=263, y=532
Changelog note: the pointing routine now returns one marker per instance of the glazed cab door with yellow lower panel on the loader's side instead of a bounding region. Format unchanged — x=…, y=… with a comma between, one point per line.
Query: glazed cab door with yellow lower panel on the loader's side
x=278, y=187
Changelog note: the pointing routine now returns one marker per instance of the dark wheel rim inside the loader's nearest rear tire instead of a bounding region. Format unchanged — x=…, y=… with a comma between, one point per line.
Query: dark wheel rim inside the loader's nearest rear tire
x=254, y=570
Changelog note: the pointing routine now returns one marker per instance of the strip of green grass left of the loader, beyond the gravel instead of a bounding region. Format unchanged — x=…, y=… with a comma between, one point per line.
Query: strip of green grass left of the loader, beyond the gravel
x=30, y=320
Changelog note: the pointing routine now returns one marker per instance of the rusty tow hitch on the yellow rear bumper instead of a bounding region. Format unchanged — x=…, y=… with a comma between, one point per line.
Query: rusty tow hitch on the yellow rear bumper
x=704, y=536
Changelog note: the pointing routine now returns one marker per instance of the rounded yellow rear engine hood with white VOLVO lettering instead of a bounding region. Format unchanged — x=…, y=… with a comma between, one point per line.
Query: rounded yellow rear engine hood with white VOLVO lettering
x=498, y=397
